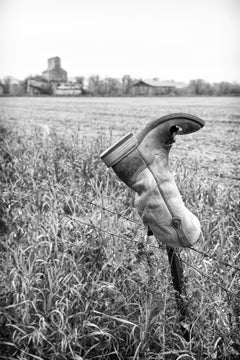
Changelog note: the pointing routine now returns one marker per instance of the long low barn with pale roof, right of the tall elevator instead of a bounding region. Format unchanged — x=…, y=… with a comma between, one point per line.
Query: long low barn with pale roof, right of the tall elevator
x=153, y=87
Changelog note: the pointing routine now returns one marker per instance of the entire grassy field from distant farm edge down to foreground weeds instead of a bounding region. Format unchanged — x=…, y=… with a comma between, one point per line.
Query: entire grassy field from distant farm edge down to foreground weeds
x=74, y=284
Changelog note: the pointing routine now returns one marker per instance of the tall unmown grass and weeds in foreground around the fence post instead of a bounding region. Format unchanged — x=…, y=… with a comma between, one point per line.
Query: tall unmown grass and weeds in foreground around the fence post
x=75, y=291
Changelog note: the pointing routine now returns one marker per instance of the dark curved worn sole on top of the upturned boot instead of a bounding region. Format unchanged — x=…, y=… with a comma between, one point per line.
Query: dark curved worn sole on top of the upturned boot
x=171, y=117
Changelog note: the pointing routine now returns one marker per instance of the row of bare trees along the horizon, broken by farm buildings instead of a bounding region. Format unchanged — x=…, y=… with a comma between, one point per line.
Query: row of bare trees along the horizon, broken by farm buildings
x=110, y=86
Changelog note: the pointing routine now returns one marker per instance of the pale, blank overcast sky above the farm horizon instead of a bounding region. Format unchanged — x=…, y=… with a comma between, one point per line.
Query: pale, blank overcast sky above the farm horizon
x=168, y=39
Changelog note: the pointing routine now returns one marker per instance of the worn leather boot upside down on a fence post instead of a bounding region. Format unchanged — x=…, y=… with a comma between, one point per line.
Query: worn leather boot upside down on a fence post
x=141, y=162
